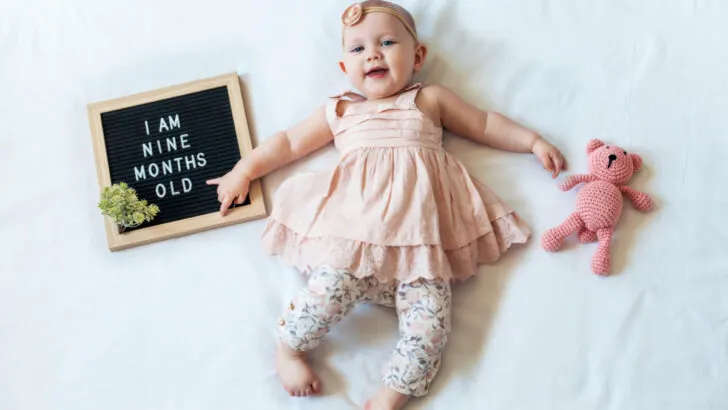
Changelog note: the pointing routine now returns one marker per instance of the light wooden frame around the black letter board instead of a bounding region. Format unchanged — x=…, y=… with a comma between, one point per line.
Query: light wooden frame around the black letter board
x=142, y=236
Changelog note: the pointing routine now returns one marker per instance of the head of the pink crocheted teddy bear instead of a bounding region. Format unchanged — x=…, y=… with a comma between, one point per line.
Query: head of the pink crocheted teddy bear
x=612, y=163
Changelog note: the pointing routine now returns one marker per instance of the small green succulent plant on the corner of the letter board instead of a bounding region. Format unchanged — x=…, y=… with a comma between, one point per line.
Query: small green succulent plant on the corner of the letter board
x=120, y=203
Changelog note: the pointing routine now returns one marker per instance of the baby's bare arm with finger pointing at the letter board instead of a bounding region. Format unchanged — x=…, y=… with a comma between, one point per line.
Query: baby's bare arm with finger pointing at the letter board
x=277, y=151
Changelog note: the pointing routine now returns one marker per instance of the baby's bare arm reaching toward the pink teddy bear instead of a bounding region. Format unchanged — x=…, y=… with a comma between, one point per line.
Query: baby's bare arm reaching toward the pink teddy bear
x=490, y=128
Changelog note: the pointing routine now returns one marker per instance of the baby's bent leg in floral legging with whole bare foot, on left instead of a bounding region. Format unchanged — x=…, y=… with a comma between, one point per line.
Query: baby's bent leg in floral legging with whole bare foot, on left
x=328, y=298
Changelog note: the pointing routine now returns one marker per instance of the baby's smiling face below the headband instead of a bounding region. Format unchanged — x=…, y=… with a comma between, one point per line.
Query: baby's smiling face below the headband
x=380, y=56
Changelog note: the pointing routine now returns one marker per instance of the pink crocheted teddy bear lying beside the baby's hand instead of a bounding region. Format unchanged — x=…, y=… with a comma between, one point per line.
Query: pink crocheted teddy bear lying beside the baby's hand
x=599, y=202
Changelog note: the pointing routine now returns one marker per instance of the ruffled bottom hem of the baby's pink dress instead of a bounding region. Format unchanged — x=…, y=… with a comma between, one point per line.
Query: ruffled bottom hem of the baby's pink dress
x=401, y=263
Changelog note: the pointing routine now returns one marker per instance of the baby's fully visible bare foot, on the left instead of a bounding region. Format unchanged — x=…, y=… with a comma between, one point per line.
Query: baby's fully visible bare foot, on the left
x=295, y=373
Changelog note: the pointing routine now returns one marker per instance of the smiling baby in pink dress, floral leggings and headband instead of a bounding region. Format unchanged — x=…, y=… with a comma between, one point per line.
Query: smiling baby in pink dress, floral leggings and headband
x=398, y=219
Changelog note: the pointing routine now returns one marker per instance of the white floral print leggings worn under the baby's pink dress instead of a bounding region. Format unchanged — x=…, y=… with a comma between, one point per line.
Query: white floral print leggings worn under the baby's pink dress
x=423, y=308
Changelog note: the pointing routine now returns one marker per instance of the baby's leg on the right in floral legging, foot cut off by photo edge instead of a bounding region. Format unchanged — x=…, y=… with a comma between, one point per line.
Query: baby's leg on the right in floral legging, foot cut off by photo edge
x=424, y=324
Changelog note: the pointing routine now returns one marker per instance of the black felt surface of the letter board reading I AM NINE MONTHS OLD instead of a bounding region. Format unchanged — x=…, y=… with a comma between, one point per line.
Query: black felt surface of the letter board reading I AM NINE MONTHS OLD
x=201, y=124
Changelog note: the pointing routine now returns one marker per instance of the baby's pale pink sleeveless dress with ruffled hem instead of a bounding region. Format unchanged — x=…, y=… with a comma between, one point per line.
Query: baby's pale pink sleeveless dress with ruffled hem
x=397, y=206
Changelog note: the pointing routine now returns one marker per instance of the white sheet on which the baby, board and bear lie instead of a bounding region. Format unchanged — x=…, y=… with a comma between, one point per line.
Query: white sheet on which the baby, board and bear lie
x=189, y=323
